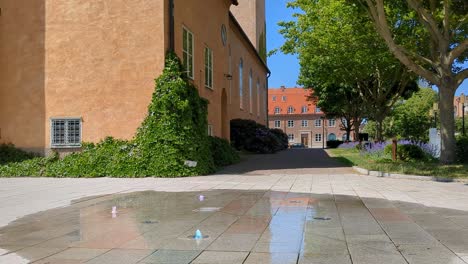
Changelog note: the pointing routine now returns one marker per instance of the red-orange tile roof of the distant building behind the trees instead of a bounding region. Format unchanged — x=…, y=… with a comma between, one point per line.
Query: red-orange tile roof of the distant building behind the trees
x=295, y=97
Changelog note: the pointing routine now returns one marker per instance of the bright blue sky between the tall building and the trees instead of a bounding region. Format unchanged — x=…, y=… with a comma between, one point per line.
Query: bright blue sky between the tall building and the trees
x=285, y=68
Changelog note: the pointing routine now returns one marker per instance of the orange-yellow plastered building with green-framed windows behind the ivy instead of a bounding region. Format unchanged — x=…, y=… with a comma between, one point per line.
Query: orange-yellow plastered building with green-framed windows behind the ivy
x=78, y=71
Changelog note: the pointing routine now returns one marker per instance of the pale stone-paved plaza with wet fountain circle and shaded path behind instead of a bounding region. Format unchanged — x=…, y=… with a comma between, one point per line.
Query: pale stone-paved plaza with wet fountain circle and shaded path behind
x=297, y=206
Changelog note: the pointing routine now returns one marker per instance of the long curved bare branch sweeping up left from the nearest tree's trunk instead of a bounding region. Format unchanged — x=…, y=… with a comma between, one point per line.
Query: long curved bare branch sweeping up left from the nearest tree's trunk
x=377, y=13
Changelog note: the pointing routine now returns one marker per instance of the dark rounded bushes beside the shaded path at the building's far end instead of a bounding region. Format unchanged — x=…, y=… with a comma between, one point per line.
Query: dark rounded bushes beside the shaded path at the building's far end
x=249, y=136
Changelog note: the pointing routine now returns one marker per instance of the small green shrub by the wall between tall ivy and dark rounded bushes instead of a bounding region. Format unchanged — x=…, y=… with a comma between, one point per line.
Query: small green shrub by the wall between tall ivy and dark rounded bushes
x=223, y=153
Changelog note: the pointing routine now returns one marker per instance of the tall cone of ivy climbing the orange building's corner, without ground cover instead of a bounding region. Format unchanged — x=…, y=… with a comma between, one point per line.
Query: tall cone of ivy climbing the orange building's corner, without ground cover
x=175, y=128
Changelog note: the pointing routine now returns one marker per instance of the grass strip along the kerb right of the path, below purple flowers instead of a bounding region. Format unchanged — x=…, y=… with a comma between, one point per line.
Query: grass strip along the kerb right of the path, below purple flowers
x=353, y=157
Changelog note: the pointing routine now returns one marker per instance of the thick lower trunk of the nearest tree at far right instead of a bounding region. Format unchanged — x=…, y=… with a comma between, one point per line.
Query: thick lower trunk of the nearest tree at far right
x=447, y=121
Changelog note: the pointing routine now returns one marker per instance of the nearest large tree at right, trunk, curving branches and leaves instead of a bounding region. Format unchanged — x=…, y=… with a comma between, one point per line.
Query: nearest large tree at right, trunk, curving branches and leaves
x=430, y=38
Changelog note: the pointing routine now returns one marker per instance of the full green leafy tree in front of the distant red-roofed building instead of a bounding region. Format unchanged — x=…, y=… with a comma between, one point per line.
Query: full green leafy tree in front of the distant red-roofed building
x=338, y=46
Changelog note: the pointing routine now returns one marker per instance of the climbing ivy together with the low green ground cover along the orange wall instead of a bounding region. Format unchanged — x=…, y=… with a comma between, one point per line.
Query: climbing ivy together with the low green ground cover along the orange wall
x=173, y=132
